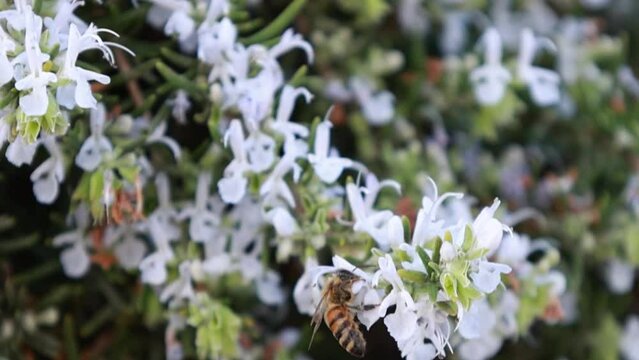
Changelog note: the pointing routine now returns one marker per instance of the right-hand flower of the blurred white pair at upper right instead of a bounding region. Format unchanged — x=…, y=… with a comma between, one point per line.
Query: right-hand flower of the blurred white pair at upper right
x=542, y=83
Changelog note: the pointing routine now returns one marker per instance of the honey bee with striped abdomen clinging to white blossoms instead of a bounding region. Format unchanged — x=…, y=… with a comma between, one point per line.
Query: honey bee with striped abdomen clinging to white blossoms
x=336, y=309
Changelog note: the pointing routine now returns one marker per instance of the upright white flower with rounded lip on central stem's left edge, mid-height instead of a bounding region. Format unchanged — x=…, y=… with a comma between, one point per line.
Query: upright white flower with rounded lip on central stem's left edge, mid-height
x=233, y=186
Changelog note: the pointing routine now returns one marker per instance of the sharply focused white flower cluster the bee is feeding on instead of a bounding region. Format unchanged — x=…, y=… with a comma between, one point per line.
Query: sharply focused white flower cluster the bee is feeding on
x=433, y=279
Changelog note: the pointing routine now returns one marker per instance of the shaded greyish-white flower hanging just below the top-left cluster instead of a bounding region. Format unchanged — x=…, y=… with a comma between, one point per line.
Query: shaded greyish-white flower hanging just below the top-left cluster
x=46, y=178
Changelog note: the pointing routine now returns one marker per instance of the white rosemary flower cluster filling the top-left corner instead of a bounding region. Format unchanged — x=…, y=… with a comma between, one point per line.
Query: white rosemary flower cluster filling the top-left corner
x=42, y=82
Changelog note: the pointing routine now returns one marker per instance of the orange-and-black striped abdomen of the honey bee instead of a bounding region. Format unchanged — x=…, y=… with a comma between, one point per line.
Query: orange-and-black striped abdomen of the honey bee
x=345, y=328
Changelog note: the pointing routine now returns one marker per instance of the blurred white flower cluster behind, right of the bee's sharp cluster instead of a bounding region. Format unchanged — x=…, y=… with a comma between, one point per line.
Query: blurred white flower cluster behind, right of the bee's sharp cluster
x=533, y=290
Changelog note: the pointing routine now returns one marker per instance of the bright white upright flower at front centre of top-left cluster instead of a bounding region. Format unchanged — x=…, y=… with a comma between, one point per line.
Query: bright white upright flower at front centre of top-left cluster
x=34, y=103
